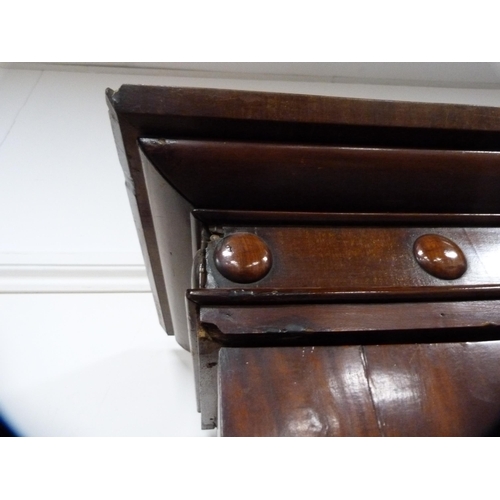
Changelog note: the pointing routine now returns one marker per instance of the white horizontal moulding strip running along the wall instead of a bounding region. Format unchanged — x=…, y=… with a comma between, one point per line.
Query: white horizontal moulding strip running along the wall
x=73, y=279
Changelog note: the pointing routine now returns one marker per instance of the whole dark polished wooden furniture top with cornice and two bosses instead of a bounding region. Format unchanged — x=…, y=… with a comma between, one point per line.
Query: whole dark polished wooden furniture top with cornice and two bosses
x=345, y=333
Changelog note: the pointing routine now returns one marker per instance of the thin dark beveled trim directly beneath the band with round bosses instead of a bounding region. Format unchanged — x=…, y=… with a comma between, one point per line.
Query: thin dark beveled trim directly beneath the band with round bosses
x=262, y=296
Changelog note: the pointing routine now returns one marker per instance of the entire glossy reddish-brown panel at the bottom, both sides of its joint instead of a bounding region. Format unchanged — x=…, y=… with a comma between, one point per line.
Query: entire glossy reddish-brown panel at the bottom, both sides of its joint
x=392, y=390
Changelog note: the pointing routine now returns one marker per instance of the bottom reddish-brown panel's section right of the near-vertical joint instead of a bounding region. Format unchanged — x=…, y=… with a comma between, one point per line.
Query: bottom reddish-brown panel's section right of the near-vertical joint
x=436, y=389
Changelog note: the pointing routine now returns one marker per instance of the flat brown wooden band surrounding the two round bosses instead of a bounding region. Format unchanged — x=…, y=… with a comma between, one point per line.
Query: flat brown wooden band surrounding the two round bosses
x=359, y=258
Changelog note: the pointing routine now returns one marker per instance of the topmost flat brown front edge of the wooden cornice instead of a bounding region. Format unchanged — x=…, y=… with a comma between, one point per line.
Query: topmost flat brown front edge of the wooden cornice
x=276, y=107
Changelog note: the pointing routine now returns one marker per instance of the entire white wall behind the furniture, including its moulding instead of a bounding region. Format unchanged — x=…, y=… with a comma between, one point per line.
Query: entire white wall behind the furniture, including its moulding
x=81, y=351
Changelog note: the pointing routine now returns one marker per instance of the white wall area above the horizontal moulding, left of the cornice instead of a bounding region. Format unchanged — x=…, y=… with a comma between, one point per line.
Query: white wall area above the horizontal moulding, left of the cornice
x=60, y=182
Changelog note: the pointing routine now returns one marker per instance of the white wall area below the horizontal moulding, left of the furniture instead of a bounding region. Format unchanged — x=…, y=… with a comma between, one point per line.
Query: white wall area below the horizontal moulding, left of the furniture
x=93, y=365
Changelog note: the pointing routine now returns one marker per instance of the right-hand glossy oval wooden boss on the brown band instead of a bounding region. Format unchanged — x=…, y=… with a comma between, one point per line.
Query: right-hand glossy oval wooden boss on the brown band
x=440, y=256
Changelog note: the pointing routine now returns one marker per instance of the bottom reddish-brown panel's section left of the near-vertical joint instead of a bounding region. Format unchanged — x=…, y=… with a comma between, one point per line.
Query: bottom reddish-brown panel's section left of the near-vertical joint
x=294, y=392
